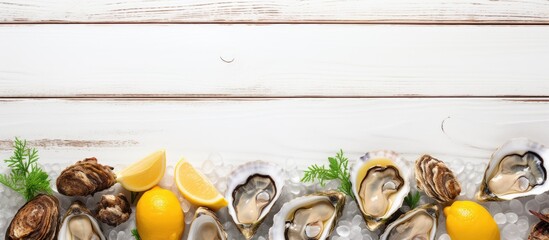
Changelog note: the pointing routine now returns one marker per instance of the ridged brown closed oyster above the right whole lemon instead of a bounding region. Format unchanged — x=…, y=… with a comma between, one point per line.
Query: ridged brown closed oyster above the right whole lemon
x=436, y=179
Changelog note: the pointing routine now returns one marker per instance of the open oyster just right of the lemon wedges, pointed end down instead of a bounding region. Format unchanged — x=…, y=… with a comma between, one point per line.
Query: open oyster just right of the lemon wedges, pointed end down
x=252, y=190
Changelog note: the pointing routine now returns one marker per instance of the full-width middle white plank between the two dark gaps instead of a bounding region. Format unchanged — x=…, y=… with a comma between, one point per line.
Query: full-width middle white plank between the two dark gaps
x=272, y=60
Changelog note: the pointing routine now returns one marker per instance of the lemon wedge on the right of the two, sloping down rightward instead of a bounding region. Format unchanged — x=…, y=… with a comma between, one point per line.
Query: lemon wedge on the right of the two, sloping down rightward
x=196, y=188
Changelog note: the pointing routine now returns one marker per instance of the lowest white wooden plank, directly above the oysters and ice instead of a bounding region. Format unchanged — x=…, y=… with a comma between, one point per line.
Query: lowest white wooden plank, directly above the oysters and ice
x=300, y=131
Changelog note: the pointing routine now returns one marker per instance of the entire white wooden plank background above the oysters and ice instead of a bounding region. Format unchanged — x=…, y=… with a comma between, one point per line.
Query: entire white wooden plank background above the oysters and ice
x=285, y=81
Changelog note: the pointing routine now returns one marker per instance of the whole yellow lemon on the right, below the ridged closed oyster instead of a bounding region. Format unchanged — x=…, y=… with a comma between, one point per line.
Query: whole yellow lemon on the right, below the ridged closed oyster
x=466, y=220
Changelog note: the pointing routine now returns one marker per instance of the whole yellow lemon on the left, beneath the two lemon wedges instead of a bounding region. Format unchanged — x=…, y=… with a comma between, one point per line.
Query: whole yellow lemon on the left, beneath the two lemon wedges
x=158, y=215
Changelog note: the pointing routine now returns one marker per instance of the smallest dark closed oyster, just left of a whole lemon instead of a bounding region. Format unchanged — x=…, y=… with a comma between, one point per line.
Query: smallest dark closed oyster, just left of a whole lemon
x=113, y=210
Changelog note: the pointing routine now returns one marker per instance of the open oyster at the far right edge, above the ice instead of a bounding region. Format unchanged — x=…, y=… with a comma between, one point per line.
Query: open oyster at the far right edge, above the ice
x=517, y=169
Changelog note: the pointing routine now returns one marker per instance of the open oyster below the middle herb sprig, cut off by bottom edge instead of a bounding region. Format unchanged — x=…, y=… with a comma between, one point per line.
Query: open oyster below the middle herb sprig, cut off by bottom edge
x=311, y=217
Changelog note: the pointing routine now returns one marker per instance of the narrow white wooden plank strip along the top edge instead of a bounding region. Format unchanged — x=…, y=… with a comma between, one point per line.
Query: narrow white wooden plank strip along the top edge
x=268, y=11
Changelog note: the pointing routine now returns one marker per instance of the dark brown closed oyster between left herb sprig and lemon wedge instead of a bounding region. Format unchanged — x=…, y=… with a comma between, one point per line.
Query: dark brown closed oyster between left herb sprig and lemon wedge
x=86, y=177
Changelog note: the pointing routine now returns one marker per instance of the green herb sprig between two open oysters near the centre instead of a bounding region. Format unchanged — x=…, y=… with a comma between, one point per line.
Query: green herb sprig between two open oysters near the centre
x=337, y=169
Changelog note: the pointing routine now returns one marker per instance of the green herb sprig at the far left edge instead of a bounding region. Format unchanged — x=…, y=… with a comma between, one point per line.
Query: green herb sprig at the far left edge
x=26, y=177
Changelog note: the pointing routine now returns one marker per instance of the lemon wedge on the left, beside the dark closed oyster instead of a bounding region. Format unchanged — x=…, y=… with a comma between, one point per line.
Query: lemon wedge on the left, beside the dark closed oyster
x=144, y=174
